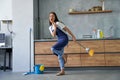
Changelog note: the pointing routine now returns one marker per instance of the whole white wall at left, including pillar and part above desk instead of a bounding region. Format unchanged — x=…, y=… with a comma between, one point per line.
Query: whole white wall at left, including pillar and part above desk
x=21, y=14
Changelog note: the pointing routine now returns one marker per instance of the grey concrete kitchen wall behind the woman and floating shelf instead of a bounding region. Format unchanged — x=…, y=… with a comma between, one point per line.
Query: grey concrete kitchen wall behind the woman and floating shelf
x=81, y=24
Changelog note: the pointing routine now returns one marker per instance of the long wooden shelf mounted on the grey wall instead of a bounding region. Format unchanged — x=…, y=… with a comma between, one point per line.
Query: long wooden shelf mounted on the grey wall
x=90, y=12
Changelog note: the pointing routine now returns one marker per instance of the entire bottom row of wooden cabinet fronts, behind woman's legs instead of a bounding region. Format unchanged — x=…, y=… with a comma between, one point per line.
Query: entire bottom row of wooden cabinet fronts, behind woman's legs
x=80, y=60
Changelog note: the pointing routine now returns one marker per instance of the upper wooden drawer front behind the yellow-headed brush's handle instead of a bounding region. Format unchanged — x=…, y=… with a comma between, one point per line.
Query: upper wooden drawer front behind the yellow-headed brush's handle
x=96, y=45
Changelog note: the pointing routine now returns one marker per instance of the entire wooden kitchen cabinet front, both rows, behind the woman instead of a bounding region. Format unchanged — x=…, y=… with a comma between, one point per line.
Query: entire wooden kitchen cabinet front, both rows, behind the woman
x=107, y=53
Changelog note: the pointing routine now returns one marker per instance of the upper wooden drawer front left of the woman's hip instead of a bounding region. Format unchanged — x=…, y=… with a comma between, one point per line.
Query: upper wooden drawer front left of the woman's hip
x=43, y=47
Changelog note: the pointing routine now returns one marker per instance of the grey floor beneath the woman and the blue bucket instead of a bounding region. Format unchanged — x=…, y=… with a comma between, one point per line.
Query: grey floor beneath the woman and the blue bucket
x=70, y=75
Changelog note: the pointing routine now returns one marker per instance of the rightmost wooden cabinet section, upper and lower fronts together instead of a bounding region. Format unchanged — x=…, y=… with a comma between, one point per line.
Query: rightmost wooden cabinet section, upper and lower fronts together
x=112, y=52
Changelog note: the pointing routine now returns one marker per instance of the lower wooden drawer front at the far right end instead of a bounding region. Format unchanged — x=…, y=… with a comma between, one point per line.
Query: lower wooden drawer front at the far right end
x=112, y=59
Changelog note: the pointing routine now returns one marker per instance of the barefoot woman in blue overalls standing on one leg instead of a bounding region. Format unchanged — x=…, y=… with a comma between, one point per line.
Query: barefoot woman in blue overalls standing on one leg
x=59, y=29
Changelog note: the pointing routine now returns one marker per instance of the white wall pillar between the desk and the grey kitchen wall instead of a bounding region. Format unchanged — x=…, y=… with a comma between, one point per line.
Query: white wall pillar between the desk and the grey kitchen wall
x=22, y=22
